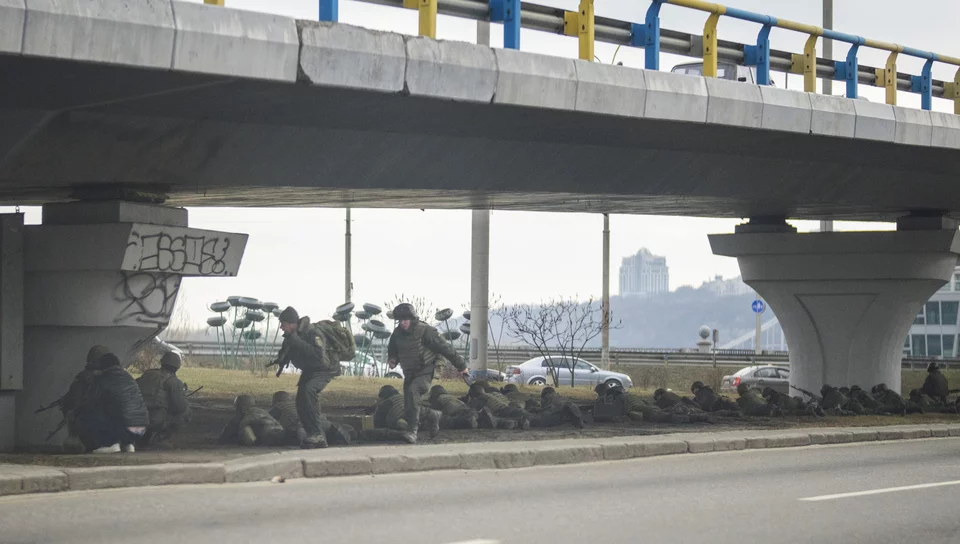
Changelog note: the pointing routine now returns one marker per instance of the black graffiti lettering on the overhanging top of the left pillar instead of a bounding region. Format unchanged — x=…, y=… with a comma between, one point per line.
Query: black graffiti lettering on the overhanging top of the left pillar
x=179, y=251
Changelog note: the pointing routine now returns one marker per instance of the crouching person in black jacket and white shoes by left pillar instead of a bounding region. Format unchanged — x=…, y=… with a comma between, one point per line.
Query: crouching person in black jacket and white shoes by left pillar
x=114, y=415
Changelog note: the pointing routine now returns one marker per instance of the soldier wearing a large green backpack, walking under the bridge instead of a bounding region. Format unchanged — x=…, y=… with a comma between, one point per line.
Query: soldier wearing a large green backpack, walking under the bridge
x=303, y=346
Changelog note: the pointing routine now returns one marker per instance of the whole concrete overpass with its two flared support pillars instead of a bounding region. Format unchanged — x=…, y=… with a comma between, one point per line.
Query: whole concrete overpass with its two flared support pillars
x=110, y=108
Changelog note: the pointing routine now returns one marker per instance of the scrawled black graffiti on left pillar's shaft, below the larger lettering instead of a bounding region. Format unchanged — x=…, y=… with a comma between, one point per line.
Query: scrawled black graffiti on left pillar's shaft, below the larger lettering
x=146, y=297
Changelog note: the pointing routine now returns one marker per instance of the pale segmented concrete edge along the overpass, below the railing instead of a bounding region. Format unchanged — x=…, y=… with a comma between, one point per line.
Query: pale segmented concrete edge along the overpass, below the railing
x=190, y=37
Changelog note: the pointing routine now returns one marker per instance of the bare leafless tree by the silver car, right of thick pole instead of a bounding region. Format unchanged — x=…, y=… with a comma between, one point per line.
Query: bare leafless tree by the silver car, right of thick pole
x=564, y=325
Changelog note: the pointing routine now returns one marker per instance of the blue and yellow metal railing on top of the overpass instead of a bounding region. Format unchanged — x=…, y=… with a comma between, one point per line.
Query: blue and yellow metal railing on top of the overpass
x=647, y=35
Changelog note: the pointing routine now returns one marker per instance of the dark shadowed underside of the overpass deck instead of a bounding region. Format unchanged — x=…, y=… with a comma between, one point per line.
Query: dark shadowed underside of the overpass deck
x=226, y=142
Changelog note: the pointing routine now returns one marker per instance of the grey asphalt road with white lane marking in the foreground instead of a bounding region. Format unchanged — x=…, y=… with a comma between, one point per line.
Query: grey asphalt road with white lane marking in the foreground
x=736, y=497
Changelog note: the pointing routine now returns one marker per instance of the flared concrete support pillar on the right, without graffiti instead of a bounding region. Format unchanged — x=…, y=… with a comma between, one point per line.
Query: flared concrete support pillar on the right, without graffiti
x=845, y=300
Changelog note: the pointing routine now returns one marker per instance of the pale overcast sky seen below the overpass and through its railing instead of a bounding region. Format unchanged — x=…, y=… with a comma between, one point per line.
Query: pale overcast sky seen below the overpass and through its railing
x=296, y=256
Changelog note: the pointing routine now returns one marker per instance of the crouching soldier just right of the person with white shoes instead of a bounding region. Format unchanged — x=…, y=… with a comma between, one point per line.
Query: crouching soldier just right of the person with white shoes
x=166, y=400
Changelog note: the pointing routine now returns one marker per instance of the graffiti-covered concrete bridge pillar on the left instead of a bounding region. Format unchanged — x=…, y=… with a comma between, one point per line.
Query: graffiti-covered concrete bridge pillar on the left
x=100, y=273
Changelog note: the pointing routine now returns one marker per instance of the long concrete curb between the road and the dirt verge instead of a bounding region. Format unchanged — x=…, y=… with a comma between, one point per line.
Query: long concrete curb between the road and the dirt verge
x=22, y=479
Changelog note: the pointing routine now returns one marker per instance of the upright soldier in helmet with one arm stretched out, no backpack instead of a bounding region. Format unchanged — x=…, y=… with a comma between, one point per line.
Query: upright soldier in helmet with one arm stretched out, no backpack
x=416, y=347
